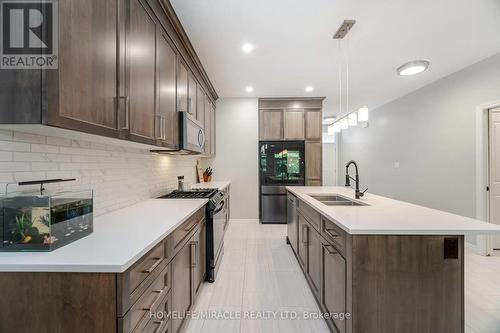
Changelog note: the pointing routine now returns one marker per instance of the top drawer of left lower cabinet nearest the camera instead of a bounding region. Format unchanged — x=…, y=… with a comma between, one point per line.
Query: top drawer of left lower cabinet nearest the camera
x=136, y=280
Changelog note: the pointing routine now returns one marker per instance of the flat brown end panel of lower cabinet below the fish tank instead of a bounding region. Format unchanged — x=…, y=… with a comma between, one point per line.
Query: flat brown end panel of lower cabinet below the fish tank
x=57, y=302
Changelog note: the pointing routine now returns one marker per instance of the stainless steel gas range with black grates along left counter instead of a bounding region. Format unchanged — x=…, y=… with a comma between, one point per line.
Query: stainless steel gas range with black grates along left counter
x=216, y=224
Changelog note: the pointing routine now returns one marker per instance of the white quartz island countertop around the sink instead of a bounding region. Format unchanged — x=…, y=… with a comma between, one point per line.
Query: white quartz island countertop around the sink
x=389, y=216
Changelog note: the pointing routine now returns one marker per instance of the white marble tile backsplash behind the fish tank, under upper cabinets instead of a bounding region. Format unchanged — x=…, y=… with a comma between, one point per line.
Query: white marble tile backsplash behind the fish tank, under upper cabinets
x=120, y=176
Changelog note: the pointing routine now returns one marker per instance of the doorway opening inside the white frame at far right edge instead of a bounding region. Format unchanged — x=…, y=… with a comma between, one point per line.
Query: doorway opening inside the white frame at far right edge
x=494, y=172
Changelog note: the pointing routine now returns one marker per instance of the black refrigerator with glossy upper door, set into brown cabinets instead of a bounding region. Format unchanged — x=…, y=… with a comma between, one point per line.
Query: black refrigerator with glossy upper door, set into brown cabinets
x=281, y=164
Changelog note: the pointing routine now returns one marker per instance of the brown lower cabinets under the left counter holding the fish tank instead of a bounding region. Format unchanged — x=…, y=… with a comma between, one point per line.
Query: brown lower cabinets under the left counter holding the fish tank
x=142, y=299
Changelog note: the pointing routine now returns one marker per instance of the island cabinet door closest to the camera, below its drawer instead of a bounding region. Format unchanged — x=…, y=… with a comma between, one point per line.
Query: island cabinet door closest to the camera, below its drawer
x=334, y=282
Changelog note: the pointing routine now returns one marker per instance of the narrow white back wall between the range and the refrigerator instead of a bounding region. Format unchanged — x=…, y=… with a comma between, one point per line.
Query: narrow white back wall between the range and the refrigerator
x=237, y=144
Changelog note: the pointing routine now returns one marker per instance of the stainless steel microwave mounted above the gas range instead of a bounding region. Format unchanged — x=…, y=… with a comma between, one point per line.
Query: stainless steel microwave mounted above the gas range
x=191, y=137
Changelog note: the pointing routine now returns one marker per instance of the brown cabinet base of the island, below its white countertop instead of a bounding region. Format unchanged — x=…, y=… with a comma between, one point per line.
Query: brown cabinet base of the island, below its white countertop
x=382, y=283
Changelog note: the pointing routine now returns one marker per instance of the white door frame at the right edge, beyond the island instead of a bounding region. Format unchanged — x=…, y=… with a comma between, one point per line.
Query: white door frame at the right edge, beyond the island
x=484, y=245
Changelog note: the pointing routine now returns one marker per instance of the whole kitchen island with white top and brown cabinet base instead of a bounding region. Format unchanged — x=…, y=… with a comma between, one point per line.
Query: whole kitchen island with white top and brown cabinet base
x=380, y=265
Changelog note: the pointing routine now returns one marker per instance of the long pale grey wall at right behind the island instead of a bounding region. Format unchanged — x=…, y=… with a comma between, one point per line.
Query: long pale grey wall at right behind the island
x=431, y=133
